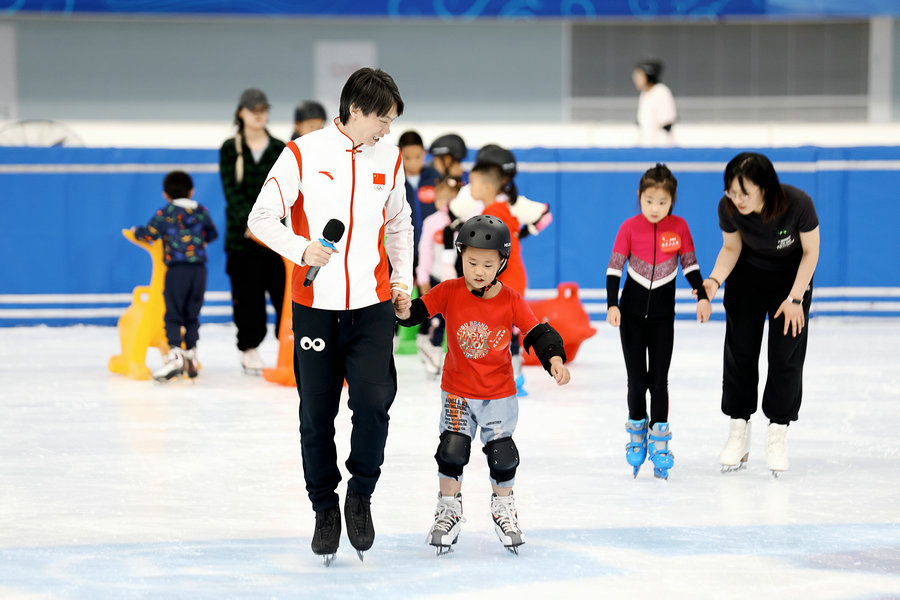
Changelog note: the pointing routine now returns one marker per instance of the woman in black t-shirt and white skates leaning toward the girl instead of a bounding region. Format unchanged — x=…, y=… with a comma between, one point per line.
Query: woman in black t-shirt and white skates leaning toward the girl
x=769, y=253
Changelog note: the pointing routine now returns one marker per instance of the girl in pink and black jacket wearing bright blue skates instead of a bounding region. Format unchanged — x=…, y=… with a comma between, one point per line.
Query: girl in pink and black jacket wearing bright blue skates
x=651, y=243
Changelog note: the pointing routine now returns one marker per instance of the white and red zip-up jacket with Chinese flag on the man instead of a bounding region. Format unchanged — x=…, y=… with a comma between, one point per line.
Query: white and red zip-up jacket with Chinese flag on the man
x=321, y=176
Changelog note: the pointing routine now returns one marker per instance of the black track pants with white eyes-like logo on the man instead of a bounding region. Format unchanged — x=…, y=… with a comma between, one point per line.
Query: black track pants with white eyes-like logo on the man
x=330, y=346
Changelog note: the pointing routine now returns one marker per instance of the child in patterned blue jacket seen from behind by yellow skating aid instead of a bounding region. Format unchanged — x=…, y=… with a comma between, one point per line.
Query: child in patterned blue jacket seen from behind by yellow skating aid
x=185, y=227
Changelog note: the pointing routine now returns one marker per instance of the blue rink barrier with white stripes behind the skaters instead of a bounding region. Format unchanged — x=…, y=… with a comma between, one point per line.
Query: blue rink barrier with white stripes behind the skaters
x=65, y=260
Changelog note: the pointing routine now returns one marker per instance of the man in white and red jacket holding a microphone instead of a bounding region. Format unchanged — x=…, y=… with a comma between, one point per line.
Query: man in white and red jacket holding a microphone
x=343, y=322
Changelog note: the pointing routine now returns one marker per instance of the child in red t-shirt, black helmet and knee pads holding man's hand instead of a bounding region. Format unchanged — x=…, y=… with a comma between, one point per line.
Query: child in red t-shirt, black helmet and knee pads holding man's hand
x=478, y=389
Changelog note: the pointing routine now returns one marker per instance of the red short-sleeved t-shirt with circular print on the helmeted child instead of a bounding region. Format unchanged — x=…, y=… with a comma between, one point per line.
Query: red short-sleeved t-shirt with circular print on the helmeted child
x=478, y=364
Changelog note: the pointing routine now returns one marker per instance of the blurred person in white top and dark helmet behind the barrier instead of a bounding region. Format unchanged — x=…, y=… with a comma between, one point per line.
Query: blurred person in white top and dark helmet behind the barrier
x=656, y=106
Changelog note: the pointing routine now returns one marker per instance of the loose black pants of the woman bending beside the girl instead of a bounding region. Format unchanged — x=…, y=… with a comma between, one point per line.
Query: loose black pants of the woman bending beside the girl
x=752, y=296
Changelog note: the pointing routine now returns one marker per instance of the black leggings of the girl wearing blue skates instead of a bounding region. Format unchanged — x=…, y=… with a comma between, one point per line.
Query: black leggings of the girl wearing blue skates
x=643, y=339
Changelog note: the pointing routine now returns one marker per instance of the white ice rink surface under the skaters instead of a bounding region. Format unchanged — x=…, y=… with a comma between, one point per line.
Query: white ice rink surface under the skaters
x=114, y=488
